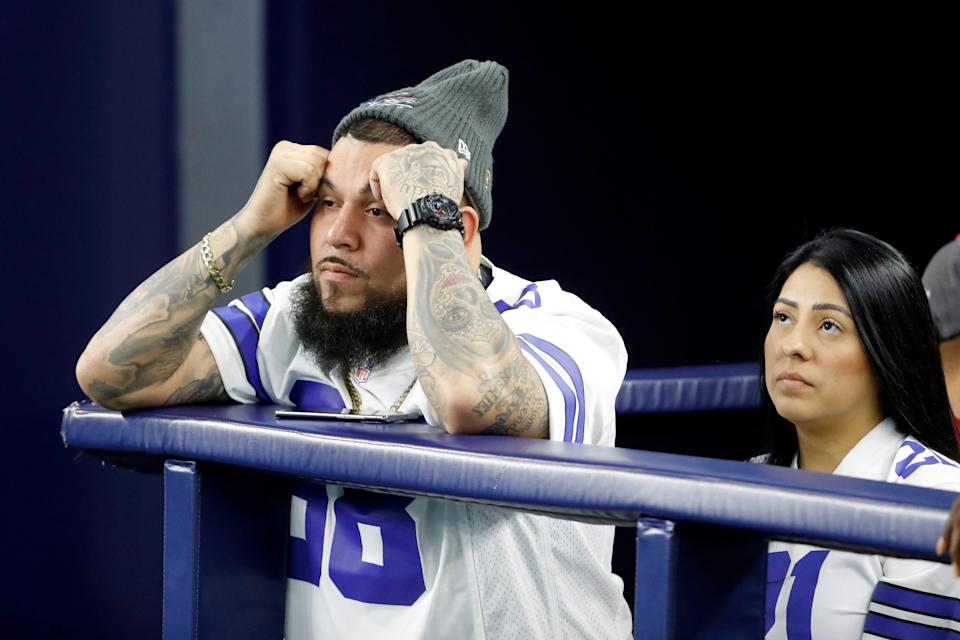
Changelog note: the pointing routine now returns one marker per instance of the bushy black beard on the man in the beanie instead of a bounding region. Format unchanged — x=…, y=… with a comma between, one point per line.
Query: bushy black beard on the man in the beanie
x=368, y=337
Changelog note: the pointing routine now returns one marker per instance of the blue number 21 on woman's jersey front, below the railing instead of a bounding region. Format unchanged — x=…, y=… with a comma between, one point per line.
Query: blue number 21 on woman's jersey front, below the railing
x=806, y=572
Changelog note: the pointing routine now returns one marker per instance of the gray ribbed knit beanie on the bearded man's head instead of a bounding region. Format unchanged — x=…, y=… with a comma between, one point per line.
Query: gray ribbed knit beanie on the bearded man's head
x=462, y=107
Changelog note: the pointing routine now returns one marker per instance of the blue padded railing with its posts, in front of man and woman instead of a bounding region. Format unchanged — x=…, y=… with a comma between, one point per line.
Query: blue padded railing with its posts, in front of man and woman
x=694, y=515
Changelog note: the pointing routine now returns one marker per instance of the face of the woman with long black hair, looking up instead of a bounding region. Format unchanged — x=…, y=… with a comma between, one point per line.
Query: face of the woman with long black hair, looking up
x=816, y=370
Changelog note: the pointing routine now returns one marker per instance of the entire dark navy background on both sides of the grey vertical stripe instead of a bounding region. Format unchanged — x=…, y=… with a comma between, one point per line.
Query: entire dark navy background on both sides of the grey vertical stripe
x=658, y=164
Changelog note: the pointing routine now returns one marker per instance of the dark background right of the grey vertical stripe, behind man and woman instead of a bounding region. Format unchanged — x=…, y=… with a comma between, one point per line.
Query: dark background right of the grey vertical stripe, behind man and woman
x=660, y=163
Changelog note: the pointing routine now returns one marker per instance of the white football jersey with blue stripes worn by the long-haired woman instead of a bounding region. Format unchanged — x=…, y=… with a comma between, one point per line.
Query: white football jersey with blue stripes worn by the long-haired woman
x=823, y=594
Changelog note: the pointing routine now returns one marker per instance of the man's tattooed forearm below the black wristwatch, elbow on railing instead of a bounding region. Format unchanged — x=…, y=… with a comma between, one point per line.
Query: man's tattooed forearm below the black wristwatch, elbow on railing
x=467, y=359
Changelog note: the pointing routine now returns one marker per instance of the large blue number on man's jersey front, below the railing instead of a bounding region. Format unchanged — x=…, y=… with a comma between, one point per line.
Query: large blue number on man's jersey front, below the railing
x=392, y=576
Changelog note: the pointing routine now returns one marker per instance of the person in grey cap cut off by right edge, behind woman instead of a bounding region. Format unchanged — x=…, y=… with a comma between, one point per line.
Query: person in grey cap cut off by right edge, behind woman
x=941, y=279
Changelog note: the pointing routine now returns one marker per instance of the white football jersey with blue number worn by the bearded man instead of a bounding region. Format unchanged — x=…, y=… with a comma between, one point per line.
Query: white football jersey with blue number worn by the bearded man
x=368, y=565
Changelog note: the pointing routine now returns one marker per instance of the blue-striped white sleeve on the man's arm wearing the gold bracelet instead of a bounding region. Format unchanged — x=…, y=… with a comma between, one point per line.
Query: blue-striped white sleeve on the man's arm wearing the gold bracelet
x=233, y=333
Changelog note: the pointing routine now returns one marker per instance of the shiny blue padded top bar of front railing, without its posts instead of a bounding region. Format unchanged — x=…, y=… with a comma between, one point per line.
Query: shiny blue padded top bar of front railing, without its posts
x=598, y=484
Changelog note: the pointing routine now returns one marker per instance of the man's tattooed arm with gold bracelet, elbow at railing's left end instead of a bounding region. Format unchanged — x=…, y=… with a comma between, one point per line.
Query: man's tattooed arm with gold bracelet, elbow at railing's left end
x=150, y=352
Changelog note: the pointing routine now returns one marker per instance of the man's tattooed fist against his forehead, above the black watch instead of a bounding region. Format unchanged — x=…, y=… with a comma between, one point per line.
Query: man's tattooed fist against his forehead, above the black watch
x=401, y=176
